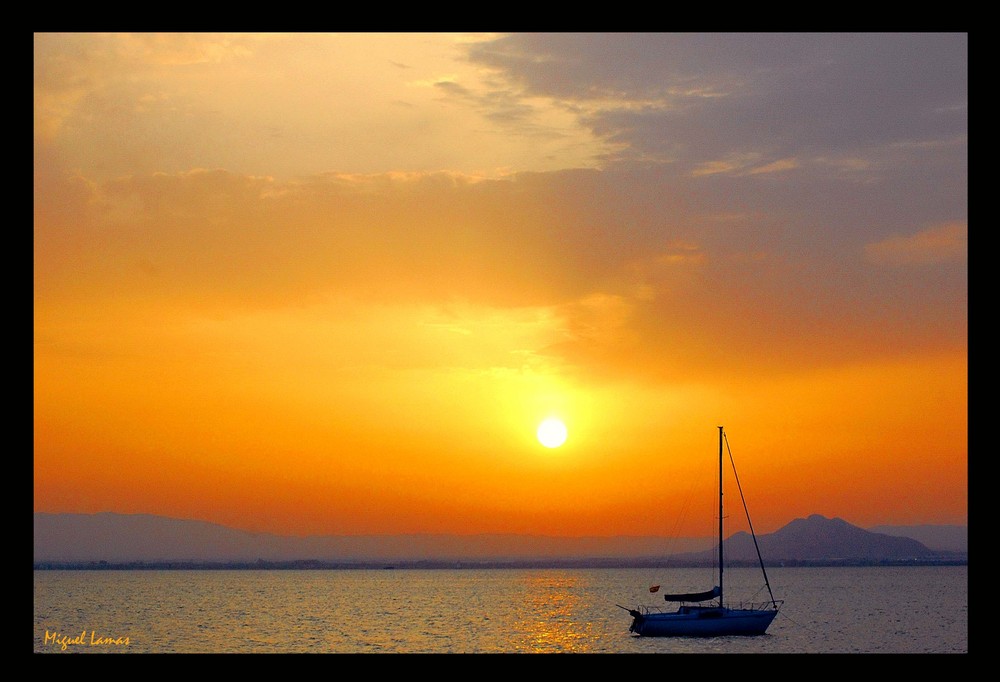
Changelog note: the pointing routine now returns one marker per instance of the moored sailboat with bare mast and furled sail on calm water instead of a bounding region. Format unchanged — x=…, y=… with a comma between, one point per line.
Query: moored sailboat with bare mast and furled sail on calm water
x=694, y=617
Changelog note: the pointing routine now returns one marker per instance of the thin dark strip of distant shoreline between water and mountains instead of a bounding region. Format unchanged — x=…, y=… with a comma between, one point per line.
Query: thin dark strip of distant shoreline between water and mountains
x=312, y=565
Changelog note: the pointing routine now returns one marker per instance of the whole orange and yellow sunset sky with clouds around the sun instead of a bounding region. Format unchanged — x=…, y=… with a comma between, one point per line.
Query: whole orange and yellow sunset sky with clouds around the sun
x=332, y=283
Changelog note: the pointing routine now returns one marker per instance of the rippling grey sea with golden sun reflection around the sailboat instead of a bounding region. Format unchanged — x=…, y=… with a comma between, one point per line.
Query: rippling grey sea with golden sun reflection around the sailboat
x=913, y=609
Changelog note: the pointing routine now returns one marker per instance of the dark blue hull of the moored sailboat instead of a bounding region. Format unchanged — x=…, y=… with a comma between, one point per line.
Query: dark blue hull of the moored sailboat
x=697, y=621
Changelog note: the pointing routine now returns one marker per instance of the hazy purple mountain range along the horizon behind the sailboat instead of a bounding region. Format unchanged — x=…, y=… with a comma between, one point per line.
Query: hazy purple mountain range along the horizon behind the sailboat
x=130, y=538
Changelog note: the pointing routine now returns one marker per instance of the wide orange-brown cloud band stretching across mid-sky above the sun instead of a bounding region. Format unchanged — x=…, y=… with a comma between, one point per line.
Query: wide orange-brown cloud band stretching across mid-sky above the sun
x=626, y=274
